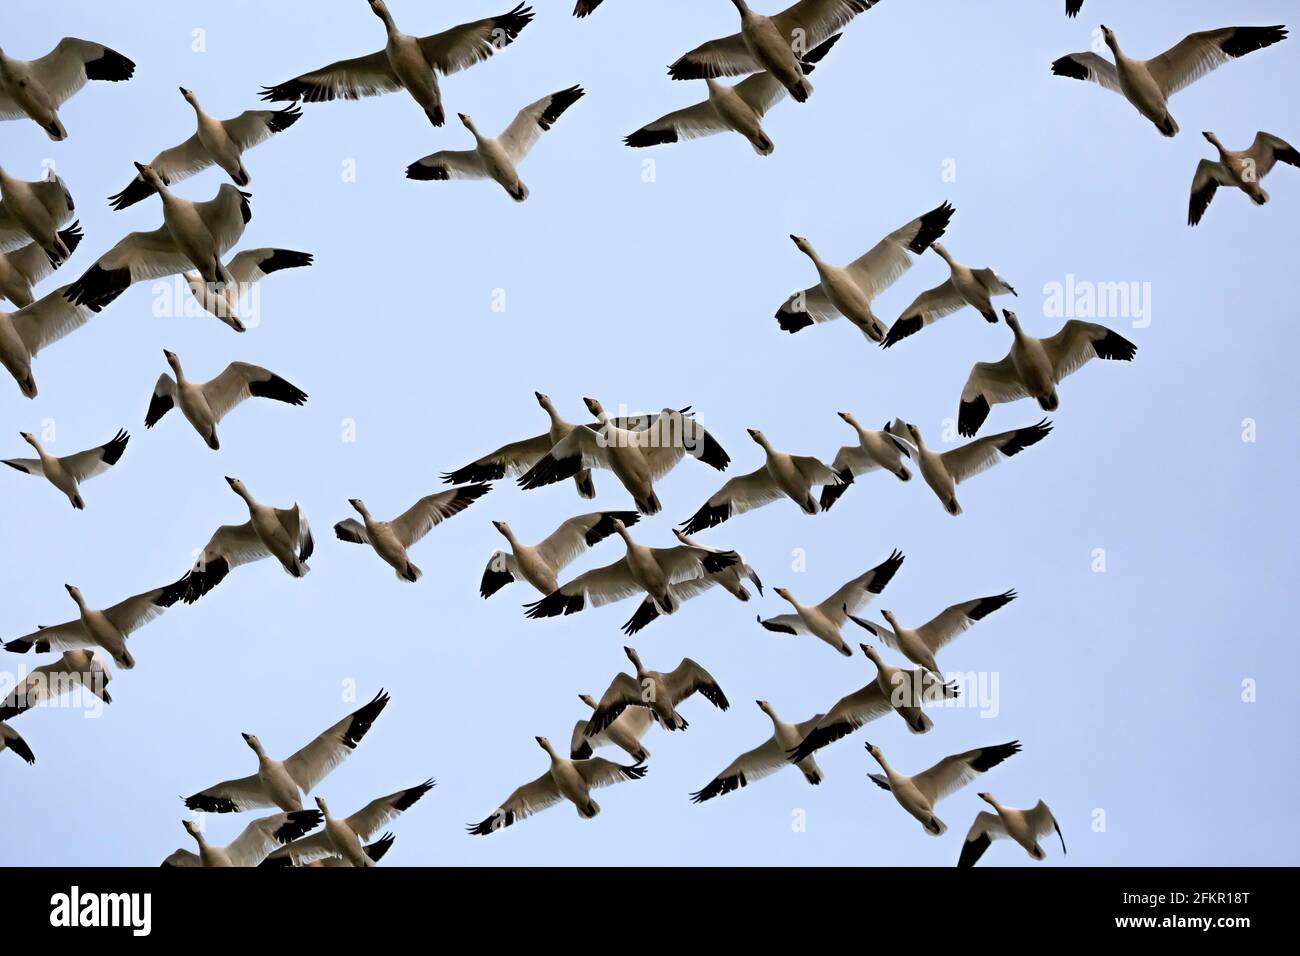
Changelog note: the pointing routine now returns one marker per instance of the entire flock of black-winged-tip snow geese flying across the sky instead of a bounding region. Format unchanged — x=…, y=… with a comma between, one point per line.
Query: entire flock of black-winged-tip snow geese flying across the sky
x=775, y=54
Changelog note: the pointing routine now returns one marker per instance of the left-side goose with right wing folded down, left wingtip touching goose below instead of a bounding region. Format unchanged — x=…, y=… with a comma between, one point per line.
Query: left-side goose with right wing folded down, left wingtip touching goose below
x=270, y=533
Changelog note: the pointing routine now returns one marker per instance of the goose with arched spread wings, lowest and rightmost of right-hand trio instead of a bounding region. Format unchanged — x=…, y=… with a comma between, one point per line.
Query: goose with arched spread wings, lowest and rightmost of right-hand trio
x=1035, y=367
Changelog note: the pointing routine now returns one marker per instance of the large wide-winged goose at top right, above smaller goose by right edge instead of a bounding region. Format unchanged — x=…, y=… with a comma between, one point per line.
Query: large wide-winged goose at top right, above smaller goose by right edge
x=1149, y=84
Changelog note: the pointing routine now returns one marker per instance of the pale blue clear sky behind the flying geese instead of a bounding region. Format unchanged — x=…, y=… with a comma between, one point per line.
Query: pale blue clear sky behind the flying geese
x=1125, y=686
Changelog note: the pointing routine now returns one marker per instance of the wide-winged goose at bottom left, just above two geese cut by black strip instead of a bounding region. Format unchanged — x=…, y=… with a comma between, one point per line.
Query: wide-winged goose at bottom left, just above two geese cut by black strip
x=283, y=784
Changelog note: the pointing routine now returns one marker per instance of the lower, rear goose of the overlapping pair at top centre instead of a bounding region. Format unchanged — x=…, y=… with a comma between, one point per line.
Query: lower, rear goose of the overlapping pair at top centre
x=739, y=109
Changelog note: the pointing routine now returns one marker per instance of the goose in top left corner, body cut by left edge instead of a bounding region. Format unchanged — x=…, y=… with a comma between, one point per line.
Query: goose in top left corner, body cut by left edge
x=37, y=89
